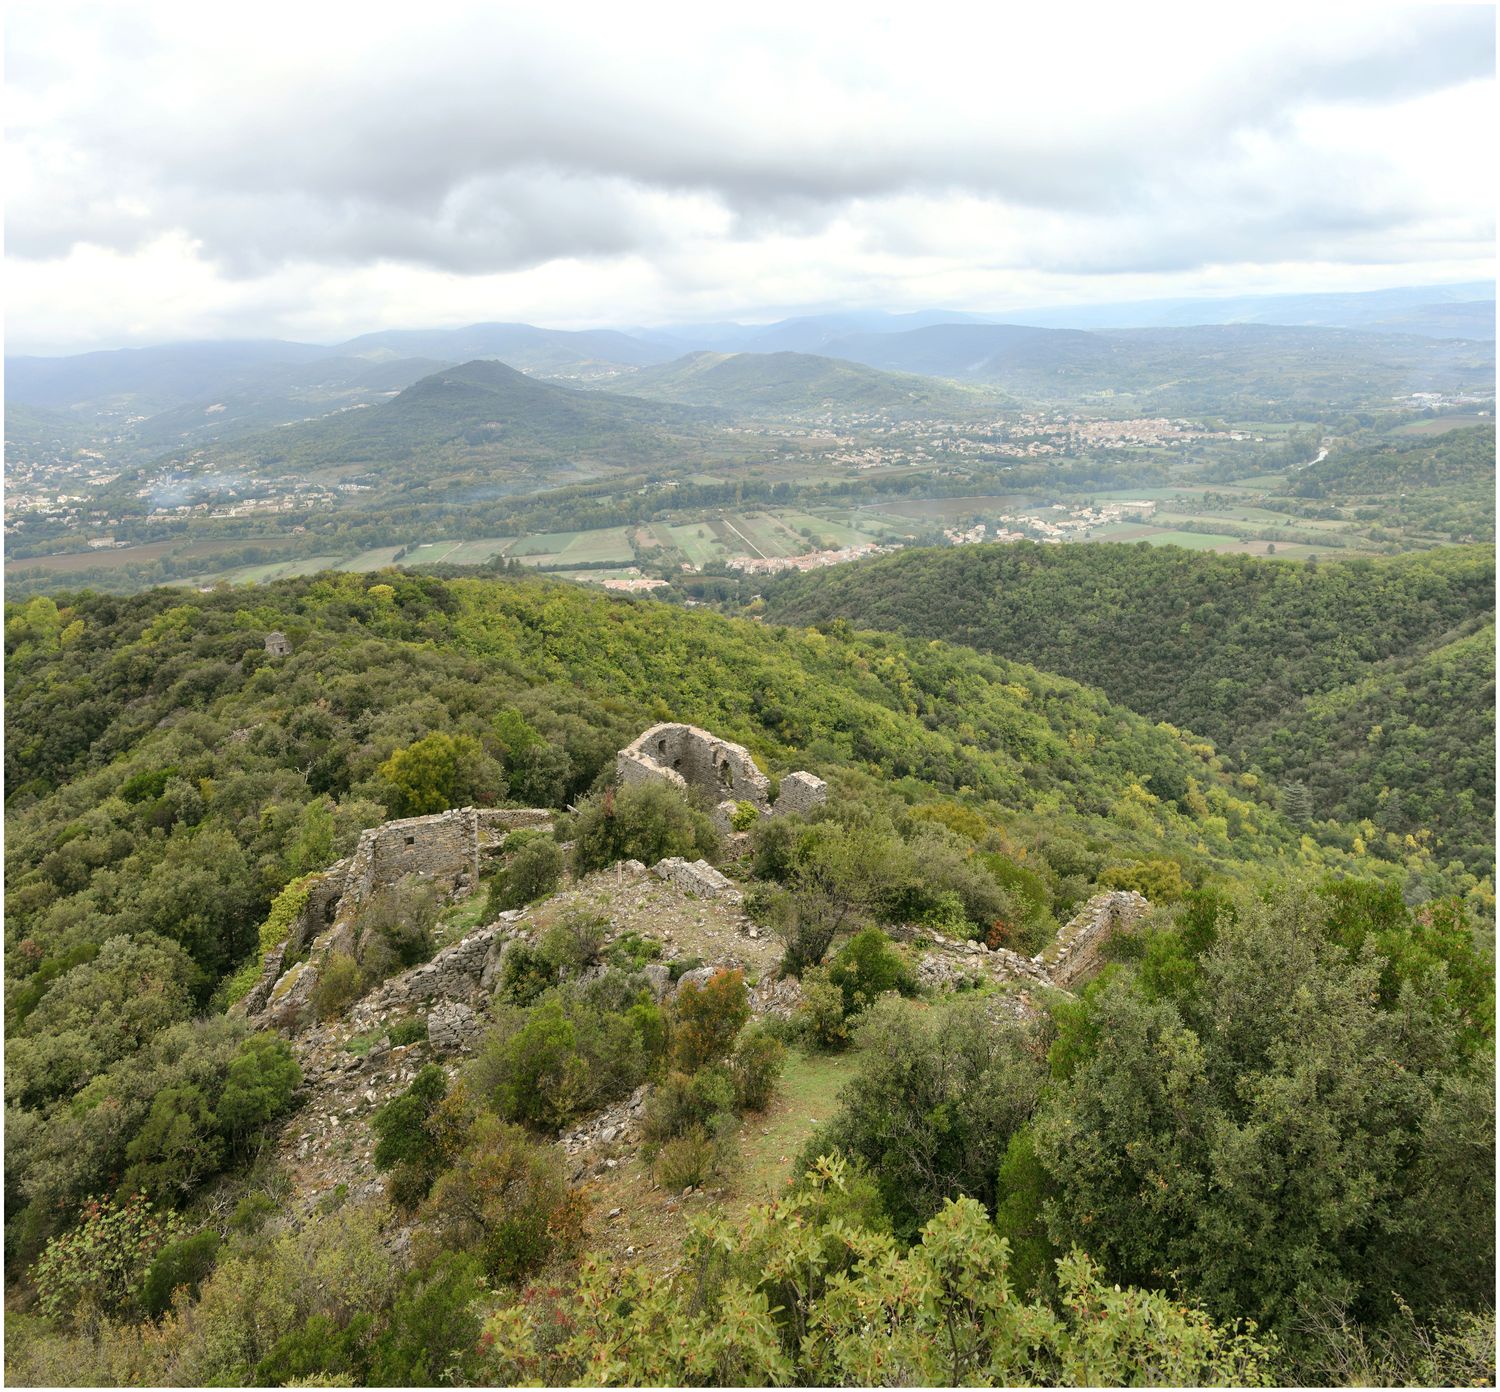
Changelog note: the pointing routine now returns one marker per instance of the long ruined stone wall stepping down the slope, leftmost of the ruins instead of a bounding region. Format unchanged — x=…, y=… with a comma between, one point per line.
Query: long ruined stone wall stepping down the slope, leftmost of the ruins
x=448, y=850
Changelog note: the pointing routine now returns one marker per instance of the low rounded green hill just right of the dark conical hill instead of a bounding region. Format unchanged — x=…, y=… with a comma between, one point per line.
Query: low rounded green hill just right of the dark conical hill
x=800, y=385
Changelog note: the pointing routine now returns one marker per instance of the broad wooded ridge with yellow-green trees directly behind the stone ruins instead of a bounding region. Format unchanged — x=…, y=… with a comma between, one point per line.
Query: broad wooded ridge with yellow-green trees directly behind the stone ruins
x=166, y=776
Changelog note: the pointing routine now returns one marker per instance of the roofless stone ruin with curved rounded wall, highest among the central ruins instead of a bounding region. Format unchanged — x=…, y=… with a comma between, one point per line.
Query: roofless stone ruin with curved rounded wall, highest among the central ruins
x=701, y=764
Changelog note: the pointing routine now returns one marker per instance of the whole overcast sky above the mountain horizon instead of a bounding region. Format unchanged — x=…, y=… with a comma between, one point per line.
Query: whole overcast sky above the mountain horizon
x=320, y=170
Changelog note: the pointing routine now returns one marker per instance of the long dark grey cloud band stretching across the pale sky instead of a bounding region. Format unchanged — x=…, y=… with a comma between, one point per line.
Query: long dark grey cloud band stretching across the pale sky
x=472, y=154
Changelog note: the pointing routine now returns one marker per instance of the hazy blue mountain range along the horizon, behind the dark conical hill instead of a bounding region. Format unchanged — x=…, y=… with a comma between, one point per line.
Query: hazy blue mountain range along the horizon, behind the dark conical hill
x=1289, y=350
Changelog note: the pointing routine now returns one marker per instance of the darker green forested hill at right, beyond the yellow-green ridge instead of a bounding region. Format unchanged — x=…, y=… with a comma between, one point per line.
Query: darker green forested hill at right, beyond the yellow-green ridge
x=1240, y=650
